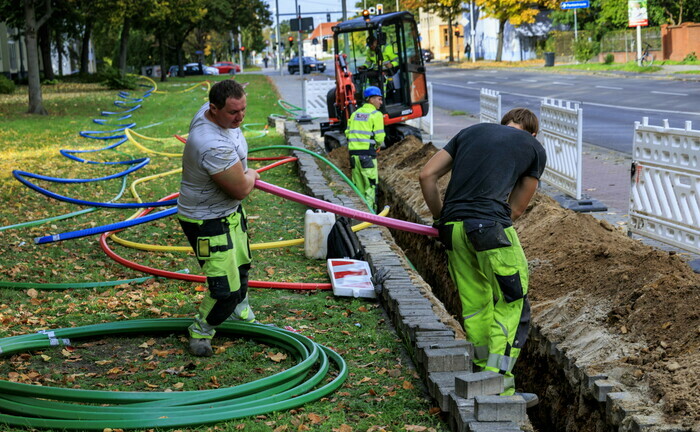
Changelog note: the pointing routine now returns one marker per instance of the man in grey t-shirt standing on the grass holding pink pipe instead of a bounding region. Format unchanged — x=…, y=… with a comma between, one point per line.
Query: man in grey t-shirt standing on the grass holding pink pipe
x=215, y=179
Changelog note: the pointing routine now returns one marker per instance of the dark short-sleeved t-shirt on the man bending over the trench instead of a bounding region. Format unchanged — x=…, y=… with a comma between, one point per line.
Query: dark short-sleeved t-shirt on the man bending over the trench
x=488, y=159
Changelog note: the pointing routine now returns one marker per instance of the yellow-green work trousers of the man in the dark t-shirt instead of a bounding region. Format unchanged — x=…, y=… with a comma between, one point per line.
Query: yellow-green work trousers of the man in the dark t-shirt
x=492, y=287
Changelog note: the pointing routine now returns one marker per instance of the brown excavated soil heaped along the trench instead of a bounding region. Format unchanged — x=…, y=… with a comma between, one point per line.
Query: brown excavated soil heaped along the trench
x=615, y=304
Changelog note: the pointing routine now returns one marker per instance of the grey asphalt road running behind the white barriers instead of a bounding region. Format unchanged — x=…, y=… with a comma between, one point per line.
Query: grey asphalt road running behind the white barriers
x=610, y=105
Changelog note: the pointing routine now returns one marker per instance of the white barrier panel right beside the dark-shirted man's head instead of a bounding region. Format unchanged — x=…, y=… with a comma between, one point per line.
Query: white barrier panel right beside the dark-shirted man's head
x=561, y=135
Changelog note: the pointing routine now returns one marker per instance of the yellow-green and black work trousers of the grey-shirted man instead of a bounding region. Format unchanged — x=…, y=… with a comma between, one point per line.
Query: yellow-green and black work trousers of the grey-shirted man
x=223, y=250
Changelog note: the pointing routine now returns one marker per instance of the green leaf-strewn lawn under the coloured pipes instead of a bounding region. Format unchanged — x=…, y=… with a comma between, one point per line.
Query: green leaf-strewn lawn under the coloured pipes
x=382, y=390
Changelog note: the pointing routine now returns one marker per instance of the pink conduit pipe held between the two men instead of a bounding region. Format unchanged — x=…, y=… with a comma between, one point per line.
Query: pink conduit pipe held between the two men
x=344, y=211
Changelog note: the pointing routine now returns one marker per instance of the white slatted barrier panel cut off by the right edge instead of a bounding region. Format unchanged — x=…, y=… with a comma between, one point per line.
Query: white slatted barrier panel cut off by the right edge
x=665, y=187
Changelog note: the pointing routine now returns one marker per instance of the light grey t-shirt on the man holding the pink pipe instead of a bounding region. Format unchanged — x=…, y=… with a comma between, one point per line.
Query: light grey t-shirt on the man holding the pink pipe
x=210, y=149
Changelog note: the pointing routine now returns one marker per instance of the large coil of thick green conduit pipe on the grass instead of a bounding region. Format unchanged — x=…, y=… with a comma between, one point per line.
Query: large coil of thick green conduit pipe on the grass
x=64, y=408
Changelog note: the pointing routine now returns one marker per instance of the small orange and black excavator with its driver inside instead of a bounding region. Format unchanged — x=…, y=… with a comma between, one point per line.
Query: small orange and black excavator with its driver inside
x=383, y=51
